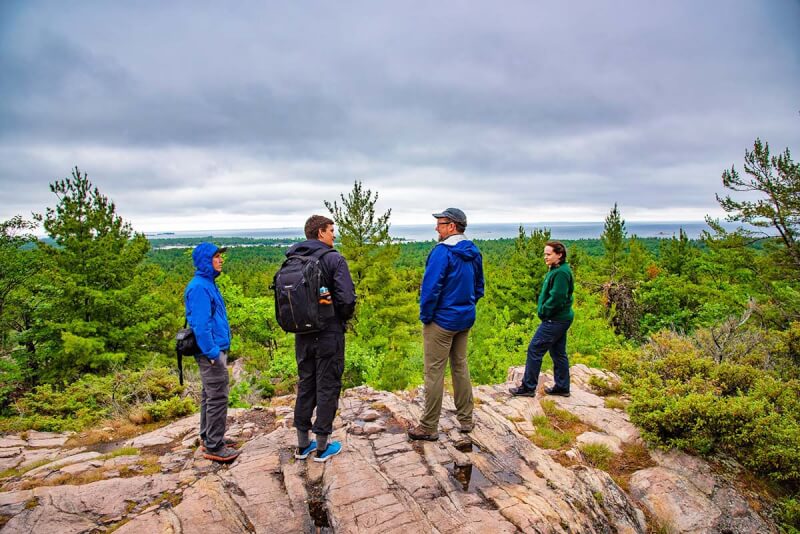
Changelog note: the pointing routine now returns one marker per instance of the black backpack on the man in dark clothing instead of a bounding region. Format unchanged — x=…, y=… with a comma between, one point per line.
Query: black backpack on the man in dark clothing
x=299, y=306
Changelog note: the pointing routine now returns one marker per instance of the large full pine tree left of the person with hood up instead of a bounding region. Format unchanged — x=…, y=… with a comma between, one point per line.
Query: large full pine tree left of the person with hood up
x=102, y=309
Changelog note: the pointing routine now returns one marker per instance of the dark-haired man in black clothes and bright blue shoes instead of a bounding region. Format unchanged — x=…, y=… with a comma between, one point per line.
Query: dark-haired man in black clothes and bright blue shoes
x=320, y=352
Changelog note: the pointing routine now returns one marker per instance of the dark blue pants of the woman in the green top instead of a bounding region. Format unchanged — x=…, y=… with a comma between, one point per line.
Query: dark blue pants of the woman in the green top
x=552, y=336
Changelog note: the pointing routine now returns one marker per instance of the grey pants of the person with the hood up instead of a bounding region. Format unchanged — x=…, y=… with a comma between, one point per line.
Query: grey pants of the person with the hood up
x=213, y=400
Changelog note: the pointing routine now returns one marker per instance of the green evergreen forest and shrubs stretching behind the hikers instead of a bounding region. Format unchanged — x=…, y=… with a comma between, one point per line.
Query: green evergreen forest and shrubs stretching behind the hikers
x=705, y=333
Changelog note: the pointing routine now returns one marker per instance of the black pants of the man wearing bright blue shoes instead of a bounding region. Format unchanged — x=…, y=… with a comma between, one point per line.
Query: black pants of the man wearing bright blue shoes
x=320, y=364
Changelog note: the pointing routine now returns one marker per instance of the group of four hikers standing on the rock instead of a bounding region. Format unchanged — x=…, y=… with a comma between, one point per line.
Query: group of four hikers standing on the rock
x=451, y=287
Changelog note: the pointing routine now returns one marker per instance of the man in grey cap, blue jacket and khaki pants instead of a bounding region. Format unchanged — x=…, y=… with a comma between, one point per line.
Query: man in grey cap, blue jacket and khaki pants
x=451, y=286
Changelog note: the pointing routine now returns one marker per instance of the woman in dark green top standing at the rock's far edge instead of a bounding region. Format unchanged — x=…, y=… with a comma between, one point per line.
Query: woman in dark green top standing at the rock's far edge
x=555, y=311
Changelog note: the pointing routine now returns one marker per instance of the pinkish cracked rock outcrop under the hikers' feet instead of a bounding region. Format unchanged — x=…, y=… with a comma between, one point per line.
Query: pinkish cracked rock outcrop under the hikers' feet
x=496, y=479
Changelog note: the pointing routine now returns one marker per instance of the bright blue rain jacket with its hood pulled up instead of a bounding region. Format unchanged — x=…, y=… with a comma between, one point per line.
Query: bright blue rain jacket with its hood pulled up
x=205, y=309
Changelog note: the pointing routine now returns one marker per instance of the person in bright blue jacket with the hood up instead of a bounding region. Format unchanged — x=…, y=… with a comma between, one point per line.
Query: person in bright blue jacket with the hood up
x=205, y=313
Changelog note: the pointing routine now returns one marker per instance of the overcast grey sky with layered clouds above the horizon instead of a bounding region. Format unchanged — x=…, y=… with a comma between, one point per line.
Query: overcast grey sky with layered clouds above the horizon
x=200, y=115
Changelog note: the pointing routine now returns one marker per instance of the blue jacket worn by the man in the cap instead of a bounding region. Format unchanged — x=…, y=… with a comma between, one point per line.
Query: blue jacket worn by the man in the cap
x=452, y=284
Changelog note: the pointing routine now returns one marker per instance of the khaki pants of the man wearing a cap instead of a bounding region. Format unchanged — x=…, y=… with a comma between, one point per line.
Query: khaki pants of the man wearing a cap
x=439, y=346
